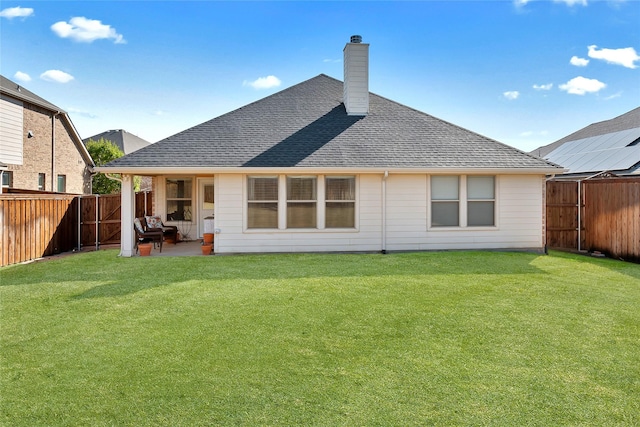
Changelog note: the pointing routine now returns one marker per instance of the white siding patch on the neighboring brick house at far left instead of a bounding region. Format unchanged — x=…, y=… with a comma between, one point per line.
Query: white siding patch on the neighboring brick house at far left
x=11, y=123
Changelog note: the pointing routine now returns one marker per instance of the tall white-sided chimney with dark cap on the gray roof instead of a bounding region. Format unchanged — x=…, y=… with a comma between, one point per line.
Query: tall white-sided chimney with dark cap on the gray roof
x=356, y=77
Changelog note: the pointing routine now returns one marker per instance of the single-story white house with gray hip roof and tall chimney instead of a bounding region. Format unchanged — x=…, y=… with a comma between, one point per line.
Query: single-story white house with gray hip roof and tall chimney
x=326, y=165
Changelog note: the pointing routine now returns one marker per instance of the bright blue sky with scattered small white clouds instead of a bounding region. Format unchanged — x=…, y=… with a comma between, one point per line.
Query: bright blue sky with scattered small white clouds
x=524, y=72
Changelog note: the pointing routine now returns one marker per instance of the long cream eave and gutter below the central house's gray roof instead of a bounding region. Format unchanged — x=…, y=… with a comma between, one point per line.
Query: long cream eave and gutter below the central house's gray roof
x=154, y=171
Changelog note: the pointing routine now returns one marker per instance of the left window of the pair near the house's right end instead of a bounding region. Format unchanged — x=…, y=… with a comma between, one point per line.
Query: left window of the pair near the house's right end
x=445, y=201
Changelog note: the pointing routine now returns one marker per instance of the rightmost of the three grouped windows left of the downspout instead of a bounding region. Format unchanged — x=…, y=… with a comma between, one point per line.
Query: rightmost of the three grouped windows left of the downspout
x=340, y=196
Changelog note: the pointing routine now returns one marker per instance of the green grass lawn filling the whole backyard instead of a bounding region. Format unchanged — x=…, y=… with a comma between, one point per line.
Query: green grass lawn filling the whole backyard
x=449, y=338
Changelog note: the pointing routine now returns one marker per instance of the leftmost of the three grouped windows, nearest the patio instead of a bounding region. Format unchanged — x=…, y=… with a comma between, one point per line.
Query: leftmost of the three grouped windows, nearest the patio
x=262, y=202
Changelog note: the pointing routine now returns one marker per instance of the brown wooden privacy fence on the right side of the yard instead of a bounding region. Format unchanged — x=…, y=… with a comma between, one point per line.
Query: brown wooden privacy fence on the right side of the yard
x=595, y=215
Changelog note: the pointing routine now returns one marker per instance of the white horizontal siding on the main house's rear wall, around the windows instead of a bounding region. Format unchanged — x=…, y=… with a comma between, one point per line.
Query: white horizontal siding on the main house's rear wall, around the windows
x=518, y=209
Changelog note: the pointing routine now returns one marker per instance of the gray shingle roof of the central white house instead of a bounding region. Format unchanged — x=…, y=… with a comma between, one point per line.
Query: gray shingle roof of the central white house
x=306, y=126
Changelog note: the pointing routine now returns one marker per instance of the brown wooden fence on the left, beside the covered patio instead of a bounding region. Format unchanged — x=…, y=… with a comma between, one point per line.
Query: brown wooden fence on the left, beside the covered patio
x=44, y=224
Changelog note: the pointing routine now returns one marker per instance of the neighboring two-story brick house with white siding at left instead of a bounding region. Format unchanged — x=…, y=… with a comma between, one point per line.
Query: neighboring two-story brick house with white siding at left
x=39, y=144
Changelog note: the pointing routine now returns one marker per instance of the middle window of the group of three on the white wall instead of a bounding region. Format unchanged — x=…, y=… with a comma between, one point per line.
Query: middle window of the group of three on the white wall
x=301, y=202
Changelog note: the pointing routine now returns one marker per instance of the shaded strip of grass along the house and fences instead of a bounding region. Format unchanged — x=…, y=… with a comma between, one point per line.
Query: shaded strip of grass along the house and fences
x=124, y=276
